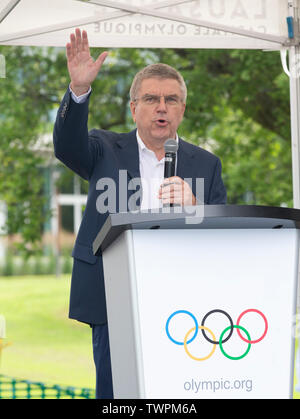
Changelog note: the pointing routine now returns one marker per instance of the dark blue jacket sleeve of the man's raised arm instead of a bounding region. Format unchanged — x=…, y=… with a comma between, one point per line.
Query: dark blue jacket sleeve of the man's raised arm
x=72, y=145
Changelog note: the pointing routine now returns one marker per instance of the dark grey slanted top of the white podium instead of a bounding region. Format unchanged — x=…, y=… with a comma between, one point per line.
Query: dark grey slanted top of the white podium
x=197, y=217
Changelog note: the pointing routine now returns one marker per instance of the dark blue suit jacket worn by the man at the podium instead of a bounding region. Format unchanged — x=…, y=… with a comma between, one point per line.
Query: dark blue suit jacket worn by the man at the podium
x=97, y=154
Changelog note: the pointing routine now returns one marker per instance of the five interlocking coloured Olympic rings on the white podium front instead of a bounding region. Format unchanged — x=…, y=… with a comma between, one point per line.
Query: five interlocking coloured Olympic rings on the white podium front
x=212, y=338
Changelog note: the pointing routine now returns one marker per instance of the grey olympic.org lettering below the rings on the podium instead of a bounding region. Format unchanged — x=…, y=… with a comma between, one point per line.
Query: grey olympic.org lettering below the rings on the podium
x=197, y=386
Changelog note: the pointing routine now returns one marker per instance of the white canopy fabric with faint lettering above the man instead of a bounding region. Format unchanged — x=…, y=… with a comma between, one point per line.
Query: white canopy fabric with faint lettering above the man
x=147, y=23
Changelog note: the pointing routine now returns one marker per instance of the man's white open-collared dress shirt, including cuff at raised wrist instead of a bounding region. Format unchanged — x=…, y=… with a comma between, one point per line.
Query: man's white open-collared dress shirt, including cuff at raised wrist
x=151, y=169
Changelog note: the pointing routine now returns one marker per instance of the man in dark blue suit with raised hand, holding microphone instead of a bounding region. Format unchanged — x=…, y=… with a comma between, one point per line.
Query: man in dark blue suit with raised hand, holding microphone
x=158, y=97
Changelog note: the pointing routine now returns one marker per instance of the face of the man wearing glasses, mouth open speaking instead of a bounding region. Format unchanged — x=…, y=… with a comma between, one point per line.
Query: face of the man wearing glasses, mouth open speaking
x=158, y=109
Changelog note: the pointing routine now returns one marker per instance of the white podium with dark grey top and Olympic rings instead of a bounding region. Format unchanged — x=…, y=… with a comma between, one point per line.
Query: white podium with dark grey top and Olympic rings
x=204, y=309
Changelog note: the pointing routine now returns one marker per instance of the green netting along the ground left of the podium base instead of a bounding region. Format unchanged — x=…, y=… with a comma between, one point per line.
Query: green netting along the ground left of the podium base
x=13, y=388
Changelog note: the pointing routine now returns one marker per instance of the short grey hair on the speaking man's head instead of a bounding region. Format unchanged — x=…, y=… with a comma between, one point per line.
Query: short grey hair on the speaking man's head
x=159, y=71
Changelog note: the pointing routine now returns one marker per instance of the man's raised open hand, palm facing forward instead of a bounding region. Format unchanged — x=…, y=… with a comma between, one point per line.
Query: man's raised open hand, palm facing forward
x=83, y=69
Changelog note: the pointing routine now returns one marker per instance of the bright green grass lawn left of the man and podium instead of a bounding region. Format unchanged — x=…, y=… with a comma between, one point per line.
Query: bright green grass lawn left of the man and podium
x=45, y=345
